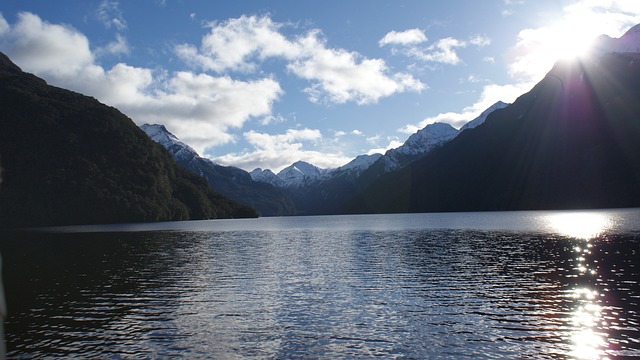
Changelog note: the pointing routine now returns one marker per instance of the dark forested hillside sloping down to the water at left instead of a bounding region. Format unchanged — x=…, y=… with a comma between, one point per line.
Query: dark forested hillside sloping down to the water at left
x=68, y=159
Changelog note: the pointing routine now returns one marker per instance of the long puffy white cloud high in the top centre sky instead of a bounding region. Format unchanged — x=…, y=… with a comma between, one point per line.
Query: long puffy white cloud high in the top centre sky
x=336, y=75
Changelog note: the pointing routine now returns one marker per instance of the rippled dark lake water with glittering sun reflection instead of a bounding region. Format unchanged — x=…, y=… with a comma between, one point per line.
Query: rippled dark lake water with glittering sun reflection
x=475, y=285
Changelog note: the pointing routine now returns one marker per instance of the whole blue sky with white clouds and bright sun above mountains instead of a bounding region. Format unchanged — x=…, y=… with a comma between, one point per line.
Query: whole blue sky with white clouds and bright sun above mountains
x=258, y=83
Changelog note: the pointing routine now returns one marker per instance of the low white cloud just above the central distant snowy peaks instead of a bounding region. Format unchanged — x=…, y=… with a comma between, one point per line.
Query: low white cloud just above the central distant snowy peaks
x=277, y=151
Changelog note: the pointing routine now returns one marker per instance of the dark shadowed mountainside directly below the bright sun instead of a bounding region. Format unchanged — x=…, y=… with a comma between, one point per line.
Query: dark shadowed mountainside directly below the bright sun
x=573, y=141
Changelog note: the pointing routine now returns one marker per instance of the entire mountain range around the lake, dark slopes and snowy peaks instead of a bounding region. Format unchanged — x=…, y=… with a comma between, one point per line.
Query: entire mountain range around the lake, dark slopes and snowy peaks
x=573, y=141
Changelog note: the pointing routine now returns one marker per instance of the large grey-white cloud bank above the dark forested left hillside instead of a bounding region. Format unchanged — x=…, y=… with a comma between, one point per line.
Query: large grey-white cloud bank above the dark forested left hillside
x=198, y=108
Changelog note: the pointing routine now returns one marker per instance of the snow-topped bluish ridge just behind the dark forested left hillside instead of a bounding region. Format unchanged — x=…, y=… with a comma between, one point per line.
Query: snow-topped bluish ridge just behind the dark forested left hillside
x=231, y=182
